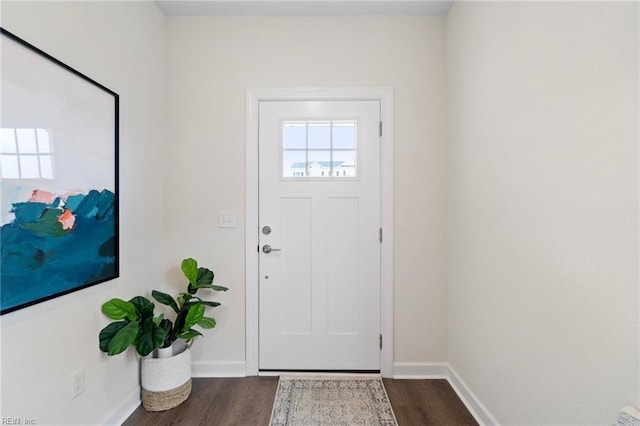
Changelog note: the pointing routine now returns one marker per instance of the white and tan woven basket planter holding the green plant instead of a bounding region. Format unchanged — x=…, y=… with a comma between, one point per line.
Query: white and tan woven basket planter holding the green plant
x=166, y=382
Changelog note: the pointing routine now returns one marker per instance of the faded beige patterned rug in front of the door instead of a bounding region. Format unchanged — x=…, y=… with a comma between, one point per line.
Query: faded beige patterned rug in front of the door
x=331, y=401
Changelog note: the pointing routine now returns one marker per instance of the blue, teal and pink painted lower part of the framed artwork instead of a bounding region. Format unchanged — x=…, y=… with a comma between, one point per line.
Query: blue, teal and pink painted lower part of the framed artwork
x=57, y=244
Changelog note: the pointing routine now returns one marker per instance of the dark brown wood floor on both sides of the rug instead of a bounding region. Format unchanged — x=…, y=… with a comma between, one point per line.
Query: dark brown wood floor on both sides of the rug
x=248, y=402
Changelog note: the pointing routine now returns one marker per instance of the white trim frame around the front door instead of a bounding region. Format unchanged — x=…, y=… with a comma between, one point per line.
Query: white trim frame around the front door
x=254, y=96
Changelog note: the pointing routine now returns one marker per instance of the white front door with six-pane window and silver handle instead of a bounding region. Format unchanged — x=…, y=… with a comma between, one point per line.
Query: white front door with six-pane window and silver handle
x=319, y=219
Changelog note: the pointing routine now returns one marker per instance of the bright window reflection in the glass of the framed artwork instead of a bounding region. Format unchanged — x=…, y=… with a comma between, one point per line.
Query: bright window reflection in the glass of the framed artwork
x=25, y=154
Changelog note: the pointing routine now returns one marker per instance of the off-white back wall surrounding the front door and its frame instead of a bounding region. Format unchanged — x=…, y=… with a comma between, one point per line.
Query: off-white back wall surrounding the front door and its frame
x=212, y=60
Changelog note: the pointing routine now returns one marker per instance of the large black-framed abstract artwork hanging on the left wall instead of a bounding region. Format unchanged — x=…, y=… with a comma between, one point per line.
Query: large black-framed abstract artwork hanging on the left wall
x=59, y=171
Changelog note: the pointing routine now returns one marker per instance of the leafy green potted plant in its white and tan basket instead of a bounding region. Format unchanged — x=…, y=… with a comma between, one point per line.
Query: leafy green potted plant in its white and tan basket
x=166, y=379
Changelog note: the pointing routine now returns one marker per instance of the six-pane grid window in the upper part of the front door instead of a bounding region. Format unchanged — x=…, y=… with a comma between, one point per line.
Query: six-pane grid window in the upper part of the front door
x=319, y=149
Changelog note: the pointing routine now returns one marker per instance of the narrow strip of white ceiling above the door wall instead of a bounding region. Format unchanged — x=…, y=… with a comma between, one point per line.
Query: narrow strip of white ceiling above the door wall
x=303, y=7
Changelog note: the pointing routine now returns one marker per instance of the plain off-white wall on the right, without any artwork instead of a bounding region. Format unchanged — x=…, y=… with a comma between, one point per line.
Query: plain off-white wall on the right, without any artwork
x=543, y=208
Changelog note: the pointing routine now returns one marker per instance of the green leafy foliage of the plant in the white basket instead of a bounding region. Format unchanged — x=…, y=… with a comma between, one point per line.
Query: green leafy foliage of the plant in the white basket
x=136, y=324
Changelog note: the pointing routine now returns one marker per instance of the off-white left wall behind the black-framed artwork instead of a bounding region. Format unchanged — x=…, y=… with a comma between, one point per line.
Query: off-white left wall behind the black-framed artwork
x=121, y=45
